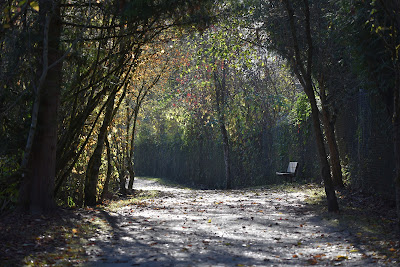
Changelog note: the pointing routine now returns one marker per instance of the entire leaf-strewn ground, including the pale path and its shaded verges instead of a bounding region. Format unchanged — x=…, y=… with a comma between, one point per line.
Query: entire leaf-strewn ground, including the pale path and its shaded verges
x=163, y=225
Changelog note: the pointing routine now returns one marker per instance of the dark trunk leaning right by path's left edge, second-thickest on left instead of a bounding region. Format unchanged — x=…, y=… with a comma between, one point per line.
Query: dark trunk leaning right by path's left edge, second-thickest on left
x=92, y=172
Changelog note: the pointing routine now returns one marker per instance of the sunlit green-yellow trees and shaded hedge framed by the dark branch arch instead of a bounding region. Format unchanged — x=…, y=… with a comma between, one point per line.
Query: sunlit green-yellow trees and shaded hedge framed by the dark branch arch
x=208, y=127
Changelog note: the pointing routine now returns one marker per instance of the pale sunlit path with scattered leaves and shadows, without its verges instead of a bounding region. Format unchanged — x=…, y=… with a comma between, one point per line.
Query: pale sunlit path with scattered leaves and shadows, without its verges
x=186, y=227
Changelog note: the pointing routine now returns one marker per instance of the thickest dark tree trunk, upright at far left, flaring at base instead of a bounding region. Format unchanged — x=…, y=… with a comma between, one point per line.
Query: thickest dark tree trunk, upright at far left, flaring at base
x=36, y=191
